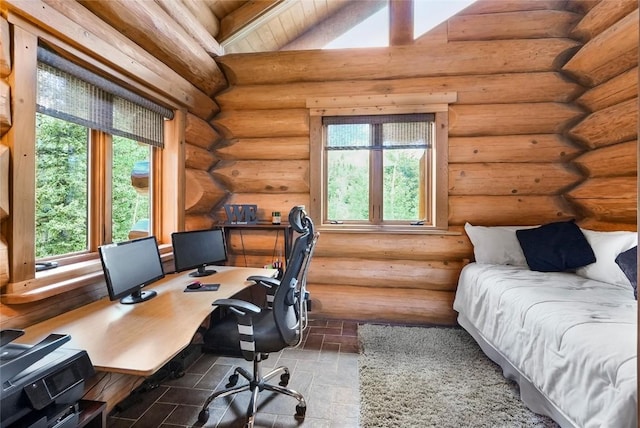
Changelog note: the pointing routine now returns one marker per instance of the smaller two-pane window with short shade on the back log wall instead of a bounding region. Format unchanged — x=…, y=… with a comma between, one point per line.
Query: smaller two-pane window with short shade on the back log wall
x=379, y=168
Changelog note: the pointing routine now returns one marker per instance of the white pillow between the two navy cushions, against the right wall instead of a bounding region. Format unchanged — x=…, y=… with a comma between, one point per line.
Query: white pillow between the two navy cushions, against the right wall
x=606, y=246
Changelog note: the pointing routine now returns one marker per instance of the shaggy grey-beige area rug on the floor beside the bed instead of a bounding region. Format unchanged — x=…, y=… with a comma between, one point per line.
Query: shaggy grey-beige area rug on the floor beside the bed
x=434, y=377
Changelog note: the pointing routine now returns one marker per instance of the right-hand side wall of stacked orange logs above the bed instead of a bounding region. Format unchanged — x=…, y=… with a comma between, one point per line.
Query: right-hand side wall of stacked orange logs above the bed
x=610, y=130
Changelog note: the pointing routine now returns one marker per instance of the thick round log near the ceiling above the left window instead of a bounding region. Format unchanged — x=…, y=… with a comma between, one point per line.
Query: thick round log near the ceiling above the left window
x=147, y=25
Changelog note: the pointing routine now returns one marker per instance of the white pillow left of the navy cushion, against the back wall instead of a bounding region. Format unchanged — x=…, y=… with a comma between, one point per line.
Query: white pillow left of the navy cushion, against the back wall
x=496, y=244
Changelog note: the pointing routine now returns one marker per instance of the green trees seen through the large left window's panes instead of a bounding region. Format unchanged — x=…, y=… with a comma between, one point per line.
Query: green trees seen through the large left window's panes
x=62, y=161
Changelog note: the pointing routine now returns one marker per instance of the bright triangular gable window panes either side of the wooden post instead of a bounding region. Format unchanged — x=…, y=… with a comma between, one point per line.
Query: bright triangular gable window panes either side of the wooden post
x=374, y=31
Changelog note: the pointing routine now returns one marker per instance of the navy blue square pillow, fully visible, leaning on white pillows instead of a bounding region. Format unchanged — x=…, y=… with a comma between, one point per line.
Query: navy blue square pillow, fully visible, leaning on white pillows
x=555, y=247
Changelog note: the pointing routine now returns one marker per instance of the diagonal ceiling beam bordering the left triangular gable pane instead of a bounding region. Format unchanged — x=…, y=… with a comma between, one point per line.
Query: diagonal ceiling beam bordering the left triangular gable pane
x=340, y=21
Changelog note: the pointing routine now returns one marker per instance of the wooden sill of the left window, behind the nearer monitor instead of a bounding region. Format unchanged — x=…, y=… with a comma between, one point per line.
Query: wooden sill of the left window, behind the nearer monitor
x=60, y=280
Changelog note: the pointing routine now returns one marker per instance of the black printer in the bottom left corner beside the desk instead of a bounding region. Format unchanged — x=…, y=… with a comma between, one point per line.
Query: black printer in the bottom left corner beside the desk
x=41, y=383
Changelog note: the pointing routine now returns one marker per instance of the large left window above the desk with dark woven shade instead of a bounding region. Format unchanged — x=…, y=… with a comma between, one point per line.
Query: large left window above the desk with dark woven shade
x=94, y=153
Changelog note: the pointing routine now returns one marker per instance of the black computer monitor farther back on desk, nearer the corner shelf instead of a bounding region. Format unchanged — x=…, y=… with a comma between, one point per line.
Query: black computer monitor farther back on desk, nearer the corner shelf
x=198, y=248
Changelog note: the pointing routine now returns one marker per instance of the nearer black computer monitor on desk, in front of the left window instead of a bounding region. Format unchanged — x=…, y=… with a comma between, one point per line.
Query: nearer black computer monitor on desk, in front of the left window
x=128, y=266
